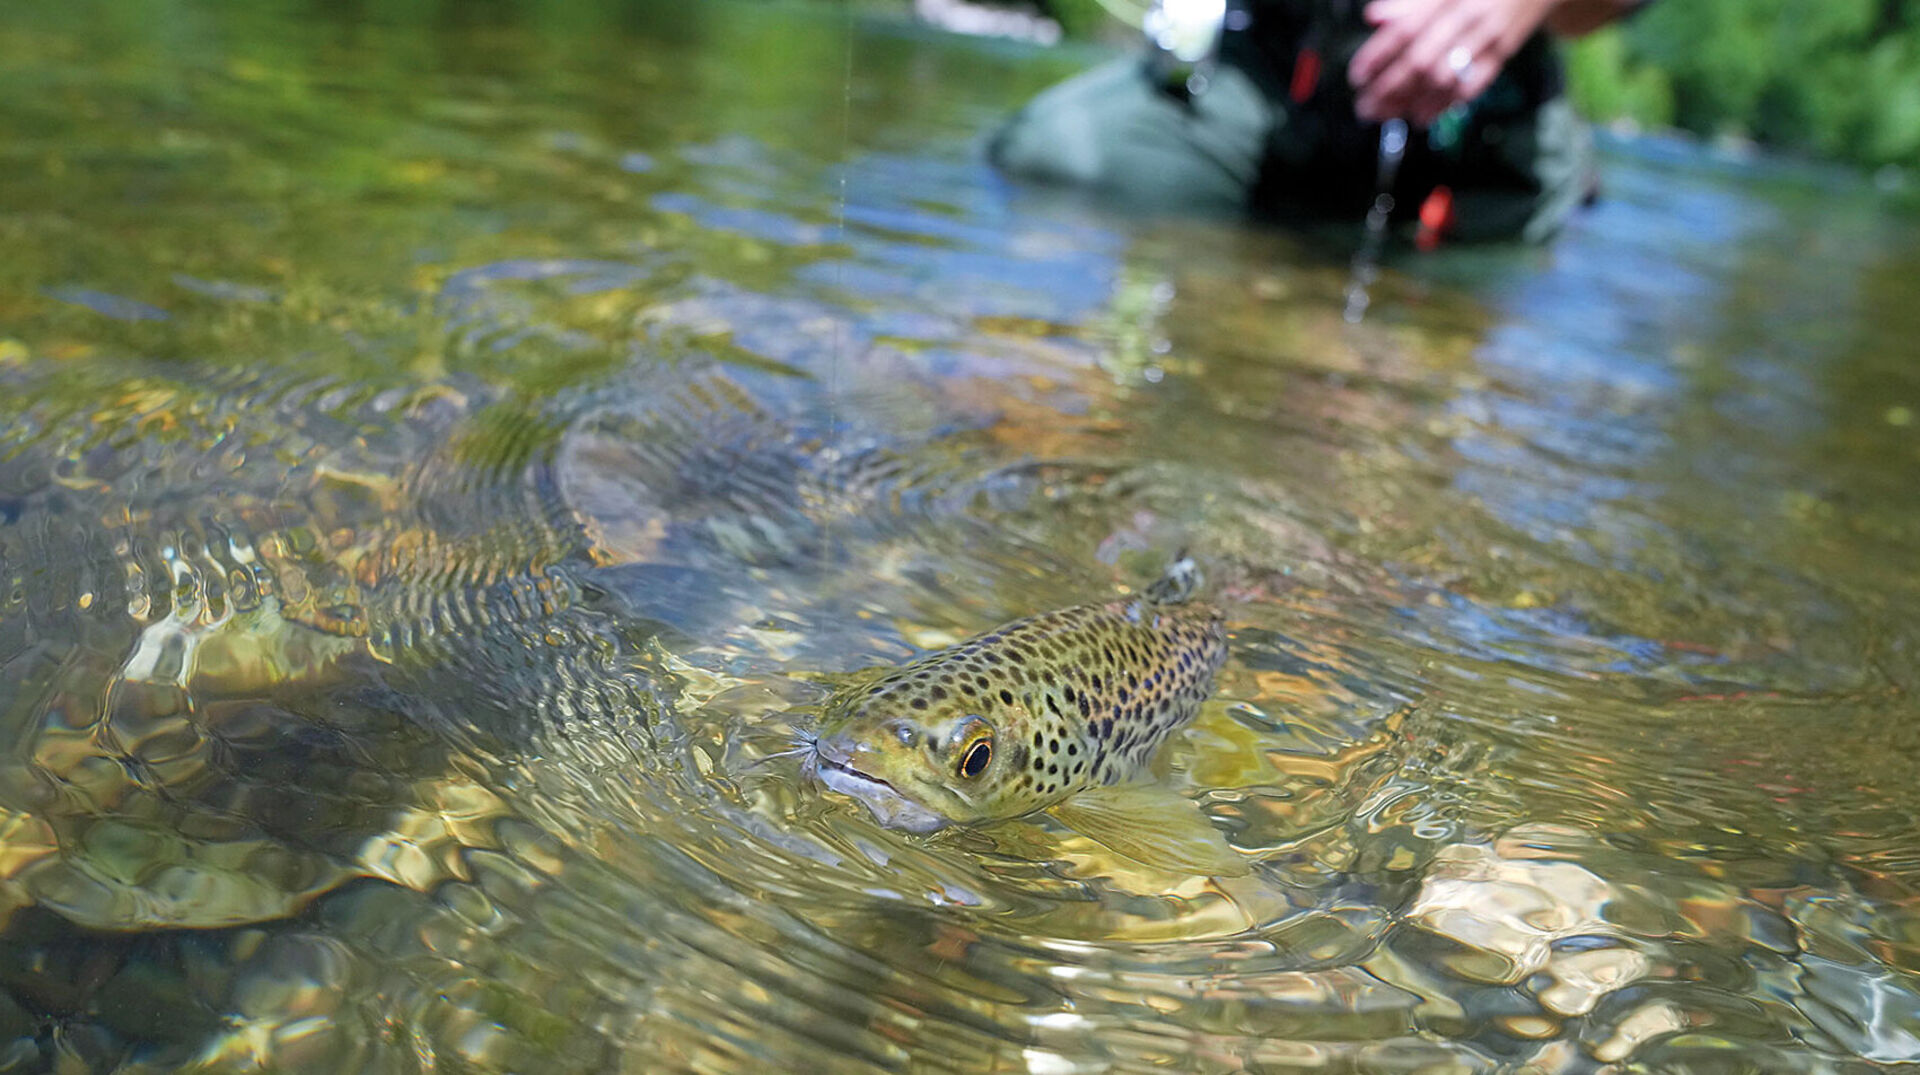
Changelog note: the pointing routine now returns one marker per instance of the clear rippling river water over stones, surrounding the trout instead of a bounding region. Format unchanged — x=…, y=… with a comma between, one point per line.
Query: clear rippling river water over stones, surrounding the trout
x=444, y=458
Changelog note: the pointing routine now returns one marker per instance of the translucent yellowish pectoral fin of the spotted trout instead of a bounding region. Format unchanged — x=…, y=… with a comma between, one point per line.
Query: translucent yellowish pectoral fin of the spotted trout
x=1155, y=826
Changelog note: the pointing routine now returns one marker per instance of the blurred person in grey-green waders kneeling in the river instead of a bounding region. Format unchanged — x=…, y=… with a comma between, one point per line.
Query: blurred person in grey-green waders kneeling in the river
x=1276, y=108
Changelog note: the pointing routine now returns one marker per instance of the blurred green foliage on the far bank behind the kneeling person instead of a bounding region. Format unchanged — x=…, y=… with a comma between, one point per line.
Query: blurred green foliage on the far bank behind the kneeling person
x=1829, y=78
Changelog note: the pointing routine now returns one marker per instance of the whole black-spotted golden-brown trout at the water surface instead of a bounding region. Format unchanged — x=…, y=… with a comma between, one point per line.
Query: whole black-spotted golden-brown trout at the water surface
x=1059, y=713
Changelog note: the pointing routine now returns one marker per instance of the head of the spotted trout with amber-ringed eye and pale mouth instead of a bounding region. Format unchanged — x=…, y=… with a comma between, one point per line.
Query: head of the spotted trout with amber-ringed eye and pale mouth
x=923, y=763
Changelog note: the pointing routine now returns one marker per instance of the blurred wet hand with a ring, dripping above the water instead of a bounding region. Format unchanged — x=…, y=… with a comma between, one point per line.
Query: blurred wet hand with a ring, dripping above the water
x=1428, y=57
